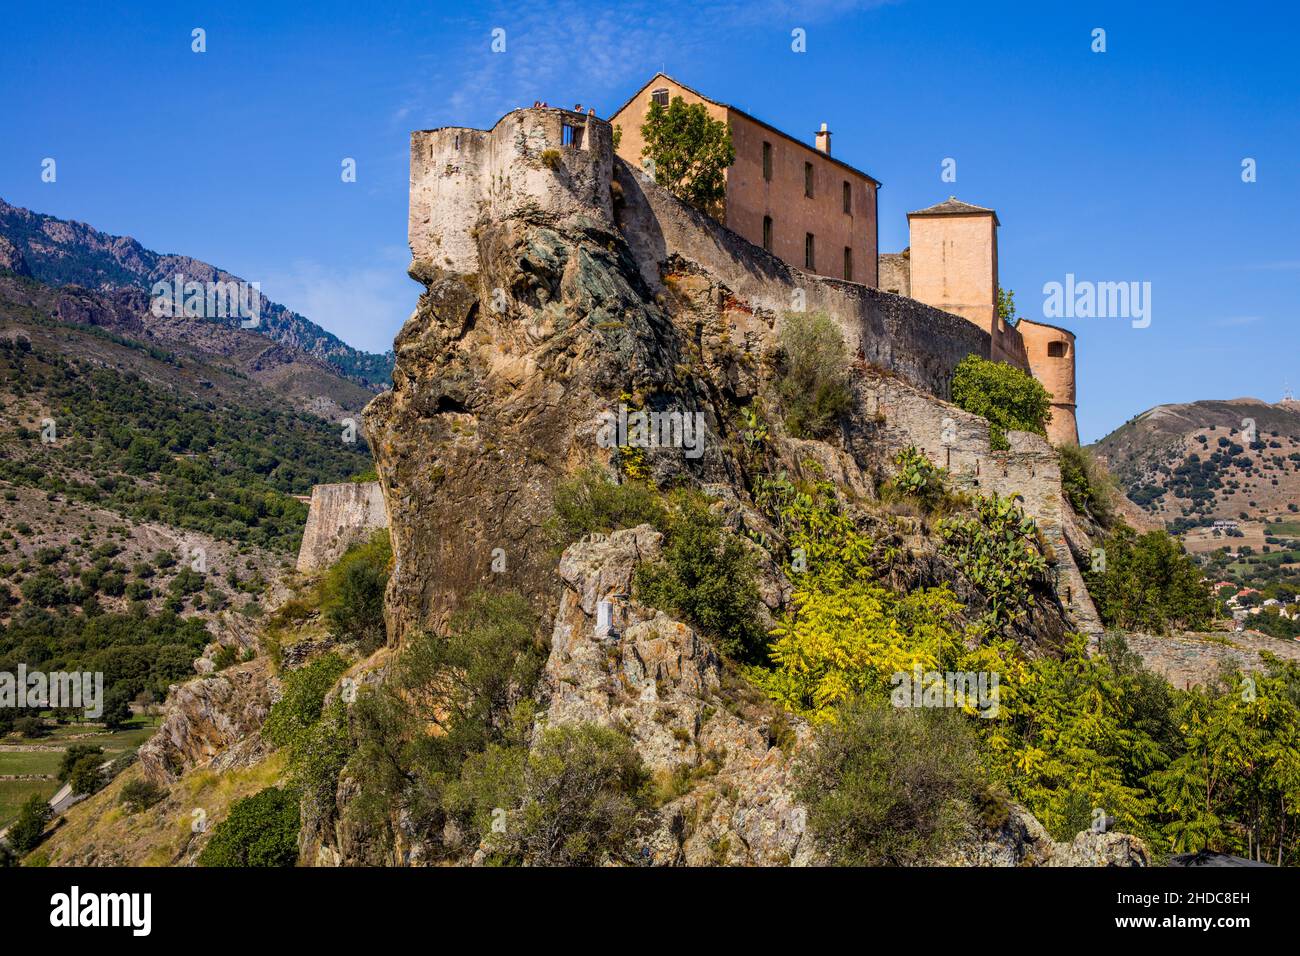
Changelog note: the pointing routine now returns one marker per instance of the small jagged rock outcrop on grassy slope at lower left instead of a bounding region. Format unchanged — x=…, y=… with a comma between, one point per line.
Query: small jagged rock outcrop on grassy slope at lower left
x=210, y=720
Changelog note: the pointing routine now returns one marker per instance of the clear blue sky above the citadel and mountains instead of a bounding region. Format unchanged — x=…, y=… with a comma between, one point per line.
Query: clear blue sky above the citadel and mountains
x=1124, y=166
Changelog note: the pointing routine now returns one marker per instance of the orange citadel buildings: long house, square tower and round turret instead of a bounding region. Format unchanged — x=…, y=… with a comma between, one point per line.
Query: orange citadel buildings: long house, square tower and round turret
x=820, y=214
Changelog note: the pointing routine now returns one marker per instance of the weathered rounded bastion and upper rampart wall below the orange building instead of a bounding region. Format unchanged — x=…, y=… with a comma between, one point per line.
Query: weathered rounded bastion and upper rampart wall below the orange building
x=461, y=175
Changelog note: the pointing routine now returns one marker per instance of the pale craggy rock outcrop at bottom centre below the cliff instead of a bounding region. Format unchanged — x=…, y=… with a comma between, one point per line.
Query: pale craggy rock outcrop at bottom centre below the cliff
x=662, y=685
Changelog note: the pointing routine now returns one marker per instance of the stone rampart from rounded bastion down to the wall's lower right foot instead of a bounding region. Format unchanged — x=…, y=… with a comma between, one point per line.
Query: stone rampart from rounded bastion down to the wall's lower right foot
x=560, y=166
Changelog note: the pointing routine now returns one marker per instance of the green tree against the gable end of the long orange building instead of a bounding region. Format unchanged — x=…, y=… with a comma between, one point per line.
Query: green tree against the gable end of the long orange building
x=691, y=153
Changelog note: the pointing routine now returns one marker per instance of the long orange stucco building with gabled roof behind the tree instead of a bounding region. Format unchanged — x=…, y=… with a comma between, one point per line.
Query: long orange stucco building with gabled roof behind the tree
x=796, y=201
